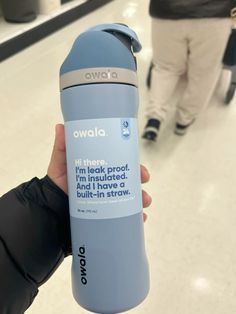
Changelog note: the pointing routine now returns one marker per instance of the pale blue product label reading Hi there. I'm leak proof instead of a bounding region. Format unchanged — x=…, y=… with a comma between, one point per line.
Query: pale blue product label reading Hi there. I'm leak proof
x=103, y=168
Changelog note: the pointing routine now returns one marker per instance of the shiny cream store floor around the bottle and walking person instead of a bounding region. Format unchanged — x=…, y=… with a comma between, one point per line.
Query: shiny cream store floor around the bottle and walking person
x=190, y=234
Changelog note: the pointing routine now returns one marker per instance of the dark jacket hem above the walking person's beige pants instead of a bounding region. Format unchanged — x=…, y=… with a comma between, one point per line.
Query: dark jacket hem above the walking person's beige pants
x=187, y=9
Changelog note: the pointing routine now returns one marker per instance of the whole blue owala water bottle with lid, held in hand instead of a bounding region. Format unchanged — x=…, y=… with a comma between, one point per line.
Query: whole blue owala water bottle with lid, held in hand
x=99, y=99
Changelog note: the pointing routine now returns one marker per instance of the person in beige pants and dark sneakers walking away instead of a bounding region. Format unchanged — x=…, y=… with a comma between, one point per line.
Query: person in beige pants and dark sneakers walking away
x=188, y=37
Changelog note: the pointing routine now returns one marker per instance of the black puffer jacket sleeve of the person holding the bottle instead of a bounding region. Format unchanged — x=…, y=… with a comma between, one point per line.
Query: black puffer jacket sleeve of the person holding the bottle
x=34, y=239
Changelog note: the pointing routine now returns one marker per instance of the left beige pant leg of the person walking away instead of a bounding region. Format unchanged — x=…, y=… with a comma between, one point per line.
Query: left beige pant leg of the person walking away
x=169, y=58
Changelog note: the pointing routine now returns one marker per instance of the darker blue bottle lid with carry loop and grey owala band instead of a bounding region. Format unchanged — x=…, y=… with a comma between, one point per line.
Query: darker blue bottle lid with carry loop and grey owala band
x=103, y=53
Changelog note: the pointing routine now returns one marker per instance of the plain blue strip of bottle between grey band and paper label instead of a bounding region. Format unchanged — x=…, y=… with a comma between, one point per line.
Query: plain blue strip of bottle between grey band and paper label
x=97, y=105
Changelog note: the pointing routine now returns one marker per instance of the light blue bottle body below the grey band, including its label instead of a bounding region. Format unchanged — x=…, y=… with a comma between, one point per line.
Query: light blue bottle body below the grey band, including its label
x=110, y=270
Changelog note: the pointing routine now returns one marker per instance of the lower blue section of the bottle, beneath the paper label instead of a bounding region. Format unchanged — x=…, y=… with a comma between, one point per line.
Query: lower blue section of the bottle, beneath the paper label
x=117, y=267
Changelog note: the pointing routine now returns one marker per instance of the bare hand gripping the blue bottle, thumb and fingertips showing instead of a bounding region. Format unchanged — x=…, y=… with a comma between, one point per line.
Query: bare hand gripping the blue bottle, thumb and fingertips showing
x=57, y=170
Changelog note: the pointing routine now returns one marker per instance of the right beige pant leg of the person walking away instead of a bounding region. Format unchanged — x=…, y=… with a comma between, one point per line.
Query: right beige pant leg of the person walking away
x=207, y=42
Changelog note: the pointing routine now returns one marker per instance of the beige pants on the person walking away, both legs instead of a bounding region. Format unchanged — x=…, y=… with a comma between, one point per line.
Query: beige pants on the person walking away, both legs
x=191, y=47
